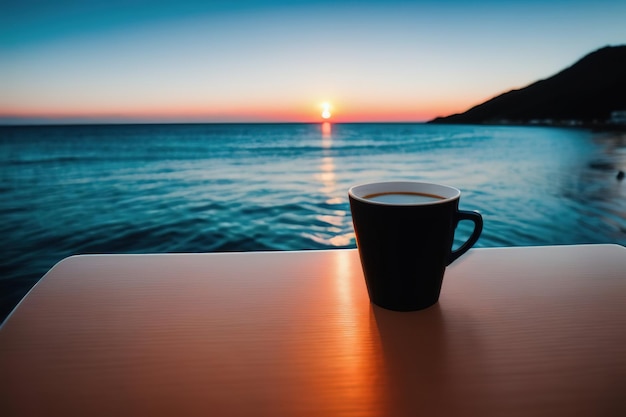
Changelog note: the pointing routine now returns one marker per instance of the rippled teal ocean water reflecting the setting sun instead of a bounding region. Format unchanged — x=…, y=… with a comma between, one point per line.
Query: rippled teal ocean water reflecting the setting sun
x=68, y=190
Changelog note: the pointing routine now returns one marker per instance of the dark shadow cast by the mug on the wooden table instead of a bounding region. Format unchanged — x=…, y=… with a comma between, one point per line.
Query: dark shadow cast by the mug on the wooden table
x=421, y=358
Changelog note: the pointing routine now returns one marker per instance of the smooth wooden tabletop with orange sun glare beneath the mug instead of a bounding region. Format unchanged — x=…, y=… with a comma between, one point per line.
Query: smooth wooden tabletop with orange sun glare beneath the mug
x=517, y=331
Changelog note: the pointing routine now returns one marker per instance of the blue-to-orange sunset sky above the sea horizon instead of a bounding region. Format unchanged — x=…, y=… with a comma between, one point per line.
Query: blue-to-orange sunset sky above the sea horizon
x=75, y=61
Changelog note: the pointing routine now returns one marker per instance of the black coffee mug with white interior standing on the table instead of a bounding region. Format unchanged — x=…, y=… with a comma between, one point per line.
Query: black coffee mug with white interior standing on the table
x=404, y=233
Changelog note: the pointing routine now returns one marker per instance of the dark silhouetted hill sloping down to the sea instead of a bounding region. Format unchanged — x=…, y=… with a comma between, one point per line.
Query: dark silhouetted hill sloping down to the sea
x=588, y=92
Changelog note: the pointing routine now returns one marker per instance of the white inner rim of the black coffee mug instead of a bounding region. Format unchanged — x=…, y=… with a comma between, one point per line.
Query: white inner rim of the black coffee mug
x=358, y=192
